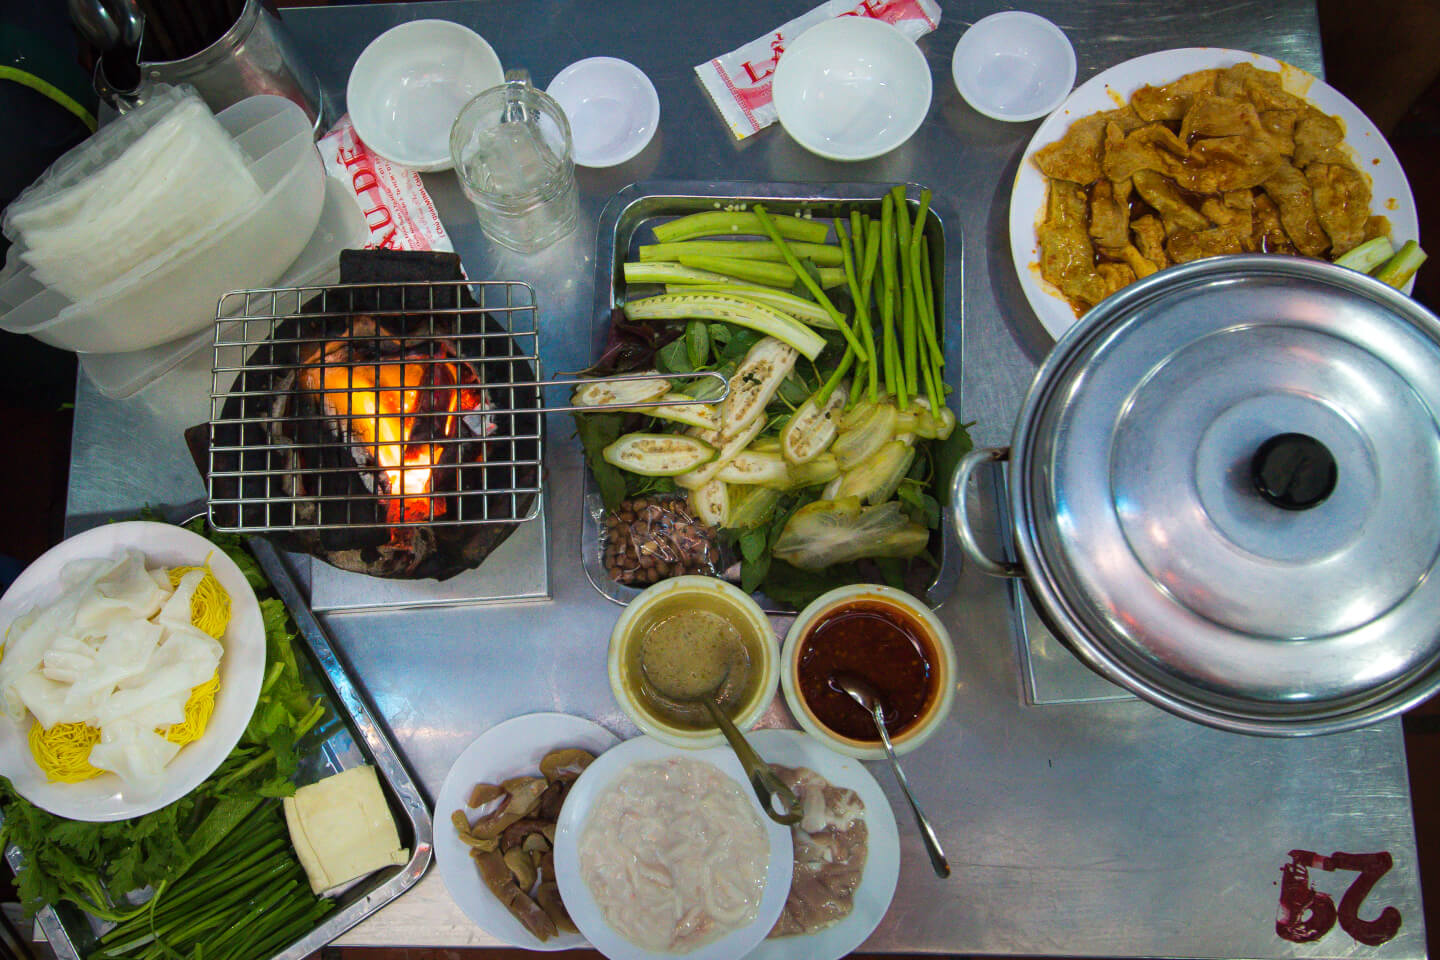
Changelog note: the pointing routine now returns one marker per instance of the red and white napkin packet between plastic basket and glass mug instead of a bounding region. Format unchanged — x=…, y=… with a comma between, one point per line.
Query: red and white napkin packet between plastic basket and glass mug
x=394, y=199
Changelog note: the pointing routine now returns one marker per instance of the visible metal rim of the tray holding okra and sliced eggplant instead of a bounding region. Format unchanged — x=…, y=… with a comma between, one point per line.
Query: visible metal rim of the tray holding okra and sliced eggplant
x=629, y=221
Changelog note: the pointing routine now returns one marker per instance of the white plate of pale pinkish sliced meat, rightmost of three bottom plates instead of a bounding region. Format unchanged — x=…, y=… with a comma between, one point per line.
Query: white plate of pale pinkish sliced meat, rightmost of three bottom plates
x=847, y=851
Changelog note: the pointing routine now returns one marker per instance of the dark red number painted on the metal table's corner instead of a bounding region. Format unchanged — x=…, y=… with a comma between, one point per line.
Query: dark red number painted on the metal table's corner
x=1308, y=915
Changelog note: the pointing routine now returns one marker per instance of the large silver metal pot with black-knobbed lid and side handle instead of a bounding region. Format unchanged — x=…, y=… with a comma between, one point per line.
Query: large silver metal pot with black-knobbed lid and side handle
x=1226, y=494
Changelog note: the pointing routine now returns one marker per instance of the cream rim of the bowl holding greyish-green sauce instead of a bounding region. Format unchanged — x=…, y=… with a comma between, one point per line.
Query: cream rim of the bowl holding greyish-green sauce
x=652, y=595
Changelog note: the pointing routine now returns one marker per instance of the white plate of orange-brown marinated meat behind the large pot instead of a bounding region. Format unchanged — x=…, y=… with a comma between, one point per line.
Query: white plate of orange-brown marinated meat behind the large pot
x=1192, y=153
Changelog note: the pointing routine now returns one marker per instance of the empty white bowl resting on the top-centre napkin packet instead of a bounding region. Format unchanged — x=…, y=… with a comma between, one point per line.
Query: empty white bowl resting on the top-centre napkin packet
x=852, y=89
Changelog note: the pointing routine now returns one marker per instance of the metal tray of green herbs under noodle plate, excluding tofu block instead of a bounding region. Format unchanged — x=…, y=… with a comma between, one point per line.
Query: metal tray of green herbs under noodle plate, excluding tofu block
x=214, y=874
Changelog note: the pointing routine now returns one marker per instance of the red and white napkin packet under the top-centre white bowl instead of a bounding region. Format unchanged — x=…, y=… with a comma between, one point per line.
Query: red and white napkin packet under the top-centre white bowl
x=739, y=81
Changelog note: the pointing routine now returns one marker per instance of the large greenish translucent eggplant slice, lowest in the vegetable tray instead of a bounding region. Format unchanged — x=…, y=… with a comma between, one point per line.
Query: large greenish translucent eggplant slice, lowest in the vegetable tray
x=832, y=532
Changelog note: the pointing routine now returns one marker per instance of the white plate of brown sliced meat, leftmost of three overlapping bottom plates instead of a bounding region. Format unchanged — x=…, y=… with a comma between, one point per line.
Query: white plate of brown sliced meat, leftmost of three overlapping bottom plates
x=536, y=746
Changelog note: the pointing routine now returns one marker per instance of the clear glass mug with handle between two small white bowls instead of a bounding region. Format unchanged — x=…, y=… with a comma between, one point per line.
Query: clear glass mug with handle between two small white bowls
x=516, y=163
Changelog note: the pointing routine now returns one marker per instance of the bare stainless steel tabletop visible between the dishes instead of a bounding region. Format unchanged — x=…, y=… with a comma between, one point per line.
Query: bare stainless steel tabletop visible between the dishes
x=1101, y=828
